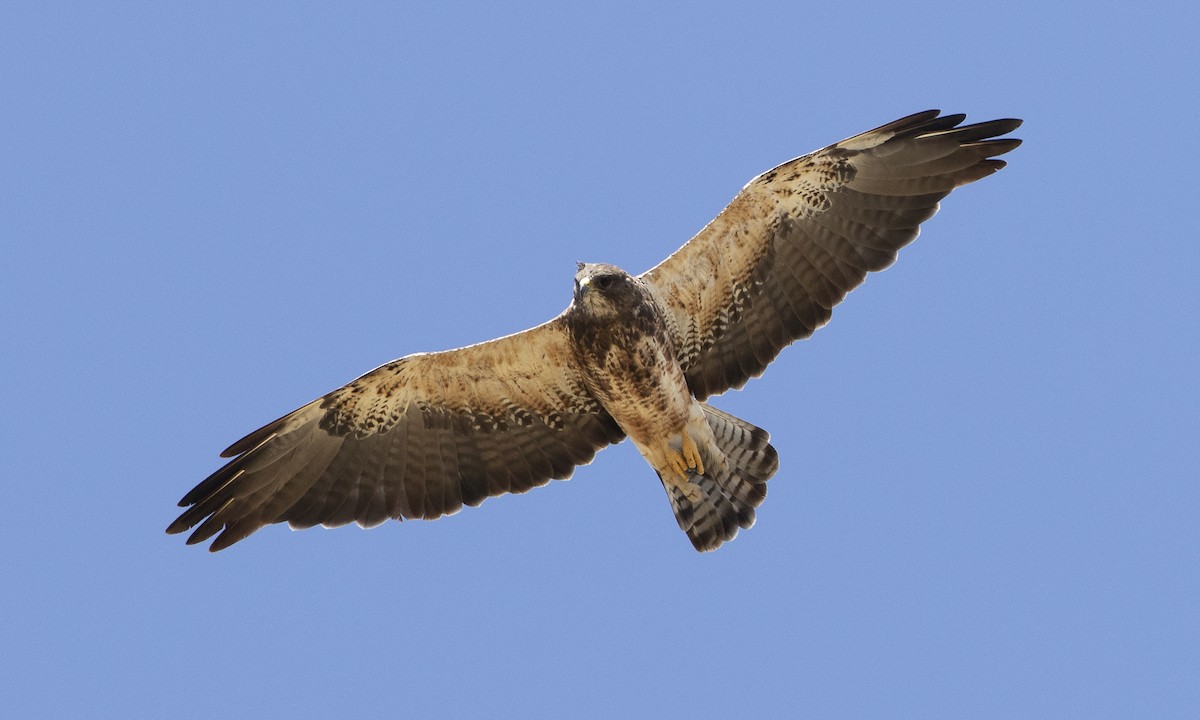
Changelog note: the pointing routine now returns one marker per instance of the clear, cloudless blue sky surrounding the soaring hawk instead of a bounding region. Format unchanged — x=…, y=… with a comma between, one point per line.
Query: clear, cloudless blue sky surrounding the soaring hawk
x=212, y=214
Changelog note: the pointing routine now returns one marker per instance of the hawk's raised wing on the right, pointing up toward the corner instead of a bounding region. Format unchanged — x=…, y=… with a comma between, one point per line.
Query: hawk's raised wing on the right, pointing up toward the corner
x=770, y=269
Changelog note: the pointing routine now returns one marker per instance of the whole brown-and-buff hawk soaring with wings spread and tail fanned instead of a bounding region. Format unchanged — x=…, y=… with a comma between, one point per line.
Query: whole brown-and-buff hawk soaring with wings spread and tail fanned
x=633, y=356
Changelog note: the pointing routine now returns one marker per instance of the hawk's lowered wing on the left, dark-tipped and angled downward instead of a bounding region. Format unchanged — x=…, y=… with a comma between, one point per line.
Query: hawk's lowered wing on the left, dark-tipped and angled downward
x=418, y=437
